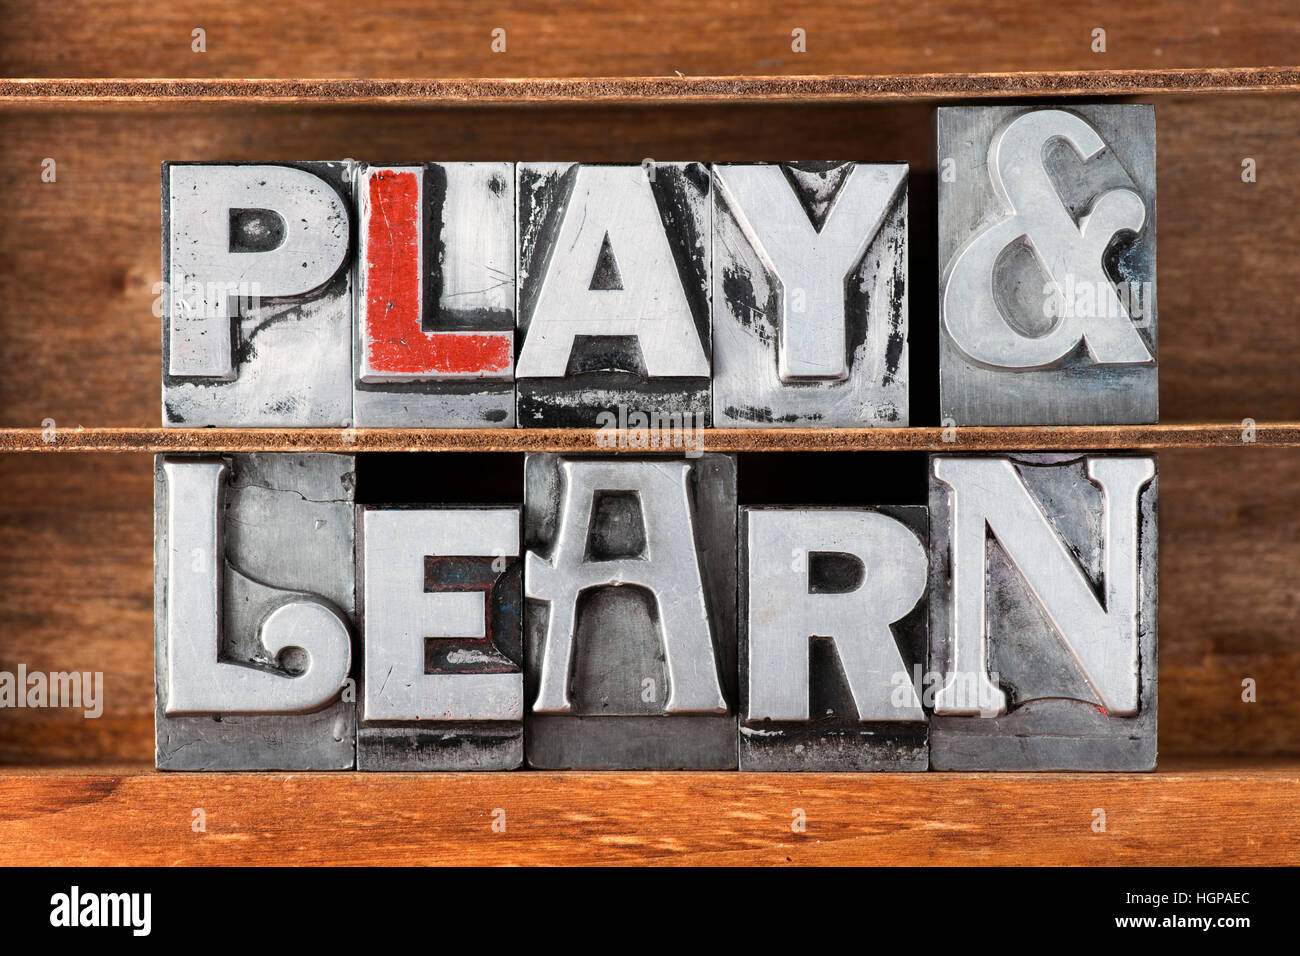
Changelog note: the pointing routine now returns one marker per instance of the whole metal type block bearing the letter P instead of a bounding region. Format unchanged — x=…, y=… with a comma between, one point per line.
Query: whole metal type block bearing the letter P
x=258, y=310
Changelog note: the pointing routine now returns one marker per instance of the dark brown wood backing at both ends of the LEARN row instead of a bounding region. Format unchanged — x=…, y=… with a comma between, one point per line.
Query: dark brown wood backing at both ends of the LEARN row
x=76, y=594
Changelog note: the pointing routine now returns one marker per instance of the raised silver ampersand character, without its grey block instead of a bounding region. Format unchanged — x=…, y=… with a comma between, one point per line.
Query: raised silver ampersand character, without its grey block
x=1071, y=253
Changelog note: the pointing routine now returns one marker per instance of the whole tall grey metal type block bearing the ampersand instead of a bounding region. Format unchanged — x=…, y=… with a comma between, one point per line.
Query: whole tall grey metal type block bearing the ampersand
x=1047, y=249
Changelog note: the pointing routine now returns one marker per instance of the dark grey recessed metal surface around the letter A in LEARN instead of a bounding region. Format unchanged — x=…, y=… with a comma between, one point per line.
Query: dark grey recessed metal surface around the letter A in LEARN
x=618, y=644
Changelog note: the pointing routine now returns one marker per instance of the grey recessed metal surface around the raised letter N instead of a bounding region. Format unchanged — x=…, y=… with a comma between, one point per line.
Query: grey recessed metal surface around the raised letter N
x=1055, y=720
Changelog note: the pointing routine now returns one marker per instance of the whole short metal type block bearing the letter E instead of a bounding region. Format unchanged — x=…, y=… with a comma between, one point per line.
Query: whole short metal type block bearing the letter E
x=443, y=681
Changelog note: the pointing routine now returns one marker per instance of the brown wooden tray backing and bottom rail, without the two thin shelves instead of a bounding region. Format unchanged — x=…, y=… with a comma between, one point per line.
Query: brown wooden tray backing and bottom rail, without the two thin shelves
x=80, y=345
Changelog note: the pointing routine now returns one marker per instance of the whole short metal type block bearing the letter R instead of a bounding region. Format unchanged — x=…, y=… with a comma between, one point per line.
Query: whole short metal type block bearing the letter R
x=833, y=639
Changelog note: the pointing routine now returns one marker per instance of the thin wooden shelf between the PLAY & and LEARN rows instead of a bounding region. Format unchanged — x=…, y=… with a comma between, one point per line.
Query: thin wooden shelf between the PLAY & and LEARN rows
x=354, y=440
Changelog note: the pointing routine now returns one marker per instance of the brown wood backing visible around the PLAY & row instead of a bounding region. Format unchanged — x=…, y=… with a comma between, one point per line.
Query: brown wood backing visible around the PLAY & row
x=80, y=343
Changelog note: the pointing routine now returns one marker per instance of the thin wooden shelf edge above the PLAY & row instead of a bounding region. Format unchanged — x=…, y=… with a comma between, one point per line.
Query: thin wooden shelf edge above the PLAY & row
x=642, y=90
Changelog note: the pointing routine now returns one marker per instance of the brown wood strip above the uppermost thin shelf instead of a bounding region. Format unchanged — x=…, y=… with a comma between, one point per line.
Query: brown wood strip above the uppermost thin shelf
x=579, y=38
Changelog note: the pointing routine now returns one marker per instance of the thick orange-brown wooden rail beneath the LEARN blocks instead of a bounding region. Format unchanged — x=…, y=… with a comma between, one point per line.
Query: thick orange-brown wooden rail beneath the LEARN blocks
x=1215, y=814
